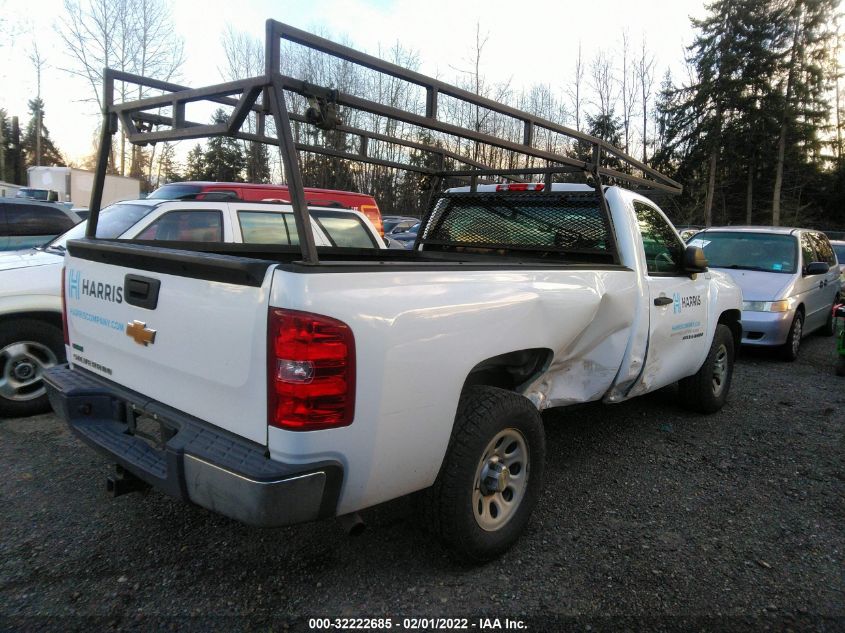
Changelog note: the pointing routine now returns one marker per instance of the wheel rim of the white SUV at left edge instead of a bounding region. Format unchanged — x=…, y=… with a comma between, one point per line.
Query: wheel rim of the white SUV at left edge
x=22, y=365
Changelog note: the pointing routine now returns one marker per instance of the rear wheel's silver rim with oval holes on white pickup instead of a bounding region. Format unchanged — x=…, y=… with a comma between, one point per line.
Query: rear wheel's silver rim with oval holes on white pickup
x=501, y=480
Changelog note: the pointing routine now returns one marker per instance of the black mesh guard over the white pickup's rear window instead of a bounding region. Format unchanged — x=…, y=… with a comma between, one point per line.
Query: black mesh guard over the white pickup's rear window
x=562, y=225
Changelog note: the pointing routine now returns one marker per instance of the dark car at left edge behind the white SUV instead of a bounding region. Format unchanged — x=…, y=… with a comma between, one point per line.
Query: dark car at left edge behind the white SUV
x=25, y=223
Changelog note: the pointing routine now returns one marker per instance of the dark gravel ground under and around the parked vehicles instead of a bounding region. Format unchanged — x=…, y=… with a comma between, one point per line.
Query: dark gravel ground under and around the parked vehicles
x=653, y=518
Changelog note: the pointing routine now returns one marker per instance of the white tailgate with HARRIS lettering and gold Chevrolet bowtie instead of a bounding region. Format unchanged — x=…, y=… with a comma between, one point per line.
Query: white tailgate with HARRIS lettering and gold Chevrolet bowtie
x=182, y=328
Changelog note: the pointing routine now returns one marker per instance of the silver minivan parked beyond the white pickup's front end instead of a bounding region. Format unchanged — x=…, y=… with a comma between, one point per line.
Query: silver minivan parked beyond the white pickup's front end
x=789, y=279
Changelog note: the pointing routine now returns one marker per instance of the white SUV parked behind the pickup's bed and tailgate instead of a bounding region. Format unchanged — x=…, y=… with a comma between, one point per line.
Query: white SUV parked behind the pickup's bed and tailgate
x=30, y=280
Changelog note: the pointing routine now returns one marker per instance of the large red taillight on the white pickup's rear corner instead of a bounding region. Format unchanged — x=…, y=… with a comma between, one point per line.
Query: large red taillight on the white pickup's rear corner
x=311, y=371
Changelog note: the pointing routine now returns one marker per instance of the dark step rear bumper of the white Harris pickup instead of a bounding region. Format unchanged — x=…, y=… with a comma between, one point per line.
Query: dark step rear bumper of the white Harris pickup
x=193, y=460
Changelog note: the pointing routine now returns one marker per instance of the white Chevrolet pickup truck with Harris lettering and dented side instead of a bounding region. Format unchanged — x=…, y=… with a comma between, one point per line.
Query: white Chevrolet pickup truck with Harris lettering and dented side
x=276, y=389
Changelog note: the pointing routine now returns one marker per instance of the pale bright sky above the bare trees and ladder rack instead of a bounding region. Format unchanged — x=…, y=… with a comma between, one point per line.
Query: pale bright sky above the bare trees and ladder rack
x=523, y=47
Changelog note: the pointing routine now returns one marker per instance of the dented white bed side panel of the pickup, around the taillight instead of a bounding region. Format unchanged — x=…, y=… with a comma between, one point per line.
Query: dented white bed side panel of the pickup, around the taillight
x=418, y=335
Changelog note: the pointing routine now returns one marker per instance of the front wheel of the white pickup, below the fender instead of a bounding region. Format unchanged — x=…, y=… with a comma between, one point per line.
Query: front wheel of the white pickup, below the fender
x=707, y=390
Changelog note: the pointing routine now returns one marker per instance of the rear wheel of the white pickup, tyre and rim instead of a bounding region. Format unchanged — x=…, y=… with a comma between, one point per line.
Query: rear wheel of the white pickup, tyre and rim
x=491, y=476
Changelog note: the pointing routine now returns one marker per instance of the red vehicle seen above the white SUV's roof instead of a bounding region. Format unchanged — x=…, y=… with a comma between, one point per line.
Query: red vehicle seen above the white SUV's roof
x=200, y=190
